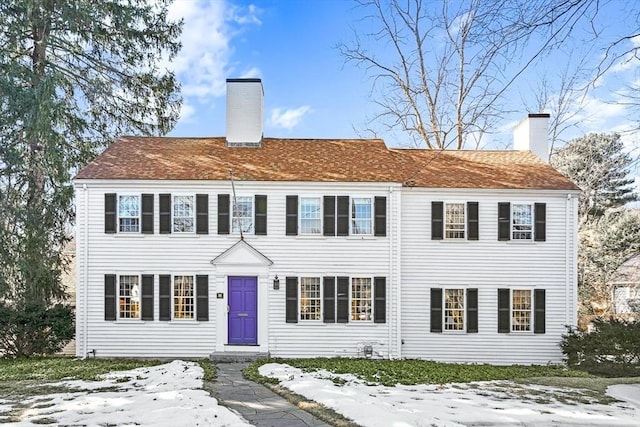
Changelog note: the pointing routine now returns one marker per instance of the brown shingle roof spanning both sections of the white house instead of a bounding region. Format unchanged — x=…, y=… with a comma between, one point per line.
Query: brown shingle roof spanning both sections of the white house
x=327, y=160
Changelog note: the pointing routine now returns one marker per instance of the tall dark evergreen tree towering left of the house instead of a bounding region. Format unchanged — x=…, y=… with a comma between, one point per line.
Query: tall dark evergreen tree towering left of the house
x=73, y=75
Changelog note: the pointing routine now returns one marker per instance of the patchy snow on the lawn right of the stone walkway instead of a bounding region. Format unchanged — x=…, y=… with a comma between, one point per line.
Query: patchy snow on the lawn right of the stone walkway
x=484, y=403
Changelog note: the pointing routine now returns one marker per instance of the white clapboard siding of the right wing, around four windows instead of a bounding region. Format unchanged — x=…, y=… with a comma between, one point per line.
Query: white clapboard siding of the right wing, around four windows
x=486, y=264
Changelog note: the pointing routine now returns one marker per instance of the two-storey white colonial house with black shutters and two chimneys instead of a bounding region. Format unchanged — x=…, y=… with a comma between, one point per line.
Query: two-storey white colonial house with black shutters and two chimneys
x=188, y=247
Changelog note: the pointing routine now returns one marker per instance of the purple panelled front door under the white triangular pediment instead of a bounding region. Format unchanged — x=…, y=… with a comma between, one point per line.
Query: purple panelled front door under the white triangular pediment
x=243, y=310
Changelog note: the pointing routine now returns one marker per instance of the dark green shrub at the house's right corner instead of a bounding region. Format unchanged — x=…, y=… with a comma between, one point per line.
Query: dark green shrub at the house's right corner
x=612, y=349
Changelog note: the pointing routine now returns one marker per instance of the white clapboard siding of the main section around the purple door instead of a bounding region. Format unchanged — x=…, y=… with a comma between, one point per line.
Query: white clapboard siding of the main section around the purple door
x=192, y=254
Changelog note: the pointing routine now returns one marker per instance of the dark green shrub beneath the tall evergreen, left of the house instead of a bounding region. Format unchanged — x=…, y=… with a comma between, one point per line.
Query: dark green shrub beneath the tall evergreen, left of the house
x=34, y=329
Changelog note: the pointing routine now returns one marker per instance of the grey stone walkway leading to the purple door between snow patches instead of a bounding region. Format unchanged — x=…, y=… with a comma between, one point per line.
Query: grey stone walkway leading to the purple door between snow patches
x=256, y=403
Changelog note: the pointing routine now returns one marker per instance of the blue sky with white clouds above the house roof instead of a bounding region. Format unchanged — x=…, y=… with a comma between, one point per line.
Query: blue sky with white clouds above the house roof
x=311, y=93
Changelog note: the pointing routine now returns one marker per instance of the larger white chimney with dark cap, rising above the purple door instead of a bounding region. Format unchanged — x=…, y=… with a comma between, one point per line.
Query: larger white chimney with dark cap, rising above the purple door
x=244, y=112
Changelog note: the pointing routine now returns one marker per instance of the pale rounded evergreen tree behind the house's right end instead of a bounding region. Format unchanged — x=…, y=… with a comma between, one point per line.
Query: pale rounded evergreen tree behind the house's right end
x=598, y=164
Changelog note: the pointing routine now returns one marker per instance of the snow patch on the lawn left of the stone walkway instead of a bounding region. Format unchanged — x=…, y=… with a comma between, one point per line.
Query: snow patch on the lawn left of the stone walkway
x=165, y=395
